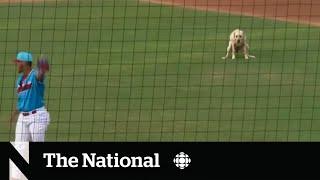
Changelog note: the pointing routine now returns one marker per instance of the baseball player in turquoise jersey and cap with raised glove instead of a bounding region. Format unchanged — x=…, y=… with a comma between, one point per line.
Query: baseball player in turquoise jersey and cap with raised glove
x=33, y=118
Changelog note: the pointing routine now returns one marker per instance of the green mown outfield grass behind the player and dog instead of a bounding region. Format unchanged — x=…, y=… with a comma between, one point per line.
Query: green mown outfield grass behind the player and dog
x=127, y=71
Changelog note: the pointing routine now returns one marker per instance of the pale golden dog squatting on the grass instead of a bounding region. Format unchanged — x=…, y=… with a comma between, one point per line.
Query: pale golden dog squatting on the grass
x=238, y=43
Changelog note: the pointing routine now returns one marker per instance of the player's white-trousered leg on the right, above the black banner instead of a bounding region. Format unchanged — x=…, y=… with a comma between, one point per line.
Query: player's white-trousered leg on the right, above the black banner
x=39, y=126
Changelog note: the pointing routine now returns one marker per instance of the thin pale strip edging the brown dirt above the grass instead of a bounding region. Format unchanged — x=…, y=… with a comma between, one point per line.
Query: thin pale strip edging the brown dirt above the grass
x=217, y=9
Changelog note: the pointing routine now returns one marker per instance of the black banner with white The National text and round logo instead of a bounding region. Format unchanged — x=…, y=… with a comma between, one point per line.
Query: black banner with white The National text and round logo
x=88, y=160
